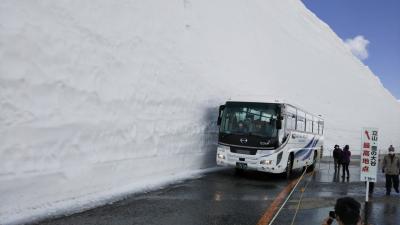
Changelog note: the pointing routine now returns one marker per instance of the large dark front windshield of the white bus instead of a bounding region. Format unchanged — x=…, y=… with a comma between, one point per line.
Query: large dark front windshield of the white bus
x=257, y=119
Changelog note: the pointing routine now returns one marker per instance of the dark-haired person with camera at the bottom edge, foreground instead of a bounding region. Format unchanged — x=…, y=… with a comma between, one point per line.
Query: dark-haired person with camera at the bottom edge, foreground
x=347, y=212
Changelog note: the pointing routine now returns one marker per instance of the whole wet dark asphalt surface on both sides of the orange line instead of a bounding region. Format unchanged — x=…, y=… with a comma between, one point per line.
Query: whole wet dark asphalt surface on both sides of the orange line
x=223, y=197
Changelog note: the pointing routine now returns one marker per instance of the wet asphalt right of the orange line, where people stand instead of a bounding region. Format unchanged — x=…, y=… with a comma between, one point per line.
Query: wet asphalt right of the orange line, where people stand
x=316, y=195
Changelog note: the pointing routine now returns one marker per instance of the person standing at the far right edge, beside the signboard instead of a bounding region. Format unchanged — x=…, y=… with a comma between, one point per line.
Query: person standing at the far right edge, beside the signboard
x=391, y=167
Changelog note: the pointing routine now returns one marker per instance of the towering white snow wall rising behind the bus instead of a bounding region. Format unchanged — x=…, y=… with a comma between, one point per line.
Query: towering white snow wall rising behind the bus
x=100, y=98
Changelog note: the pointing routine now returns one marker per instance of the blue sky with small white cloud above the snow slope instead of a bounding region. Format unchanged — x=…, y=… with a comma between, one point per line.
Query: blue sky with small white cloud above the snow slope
x=377, y=25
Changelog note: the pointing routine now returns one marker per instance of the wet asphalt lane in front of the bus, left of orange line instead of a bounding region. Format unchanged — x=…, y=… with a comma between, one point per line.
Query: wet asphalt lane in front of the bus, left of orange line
x=221, y=197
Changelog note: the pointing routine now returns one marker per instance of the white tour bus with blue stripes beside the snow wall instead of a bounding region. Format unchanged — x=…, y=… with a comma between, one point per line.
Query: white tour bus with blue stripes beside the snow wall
x=268, y=136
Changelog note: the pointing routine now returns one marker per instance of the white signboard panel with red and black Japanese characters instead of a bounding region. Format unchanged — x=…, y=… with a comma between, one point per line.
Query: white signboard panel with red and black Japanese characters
x=369, y=154
